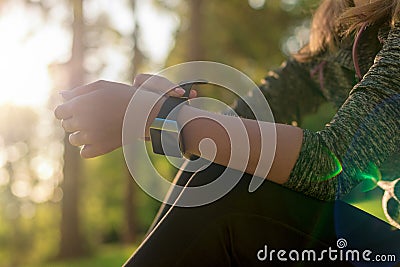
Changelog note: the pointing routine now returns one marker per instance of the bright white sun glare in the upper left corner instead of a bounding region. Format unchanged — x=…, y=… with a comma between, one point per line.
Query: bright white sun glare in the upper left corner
x=27, y=48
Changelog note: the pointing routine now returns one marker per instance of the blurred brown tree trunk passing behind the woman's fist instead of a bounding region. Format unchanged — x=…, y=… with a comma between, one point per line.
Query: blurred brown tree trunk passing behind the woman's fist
x=72, y=243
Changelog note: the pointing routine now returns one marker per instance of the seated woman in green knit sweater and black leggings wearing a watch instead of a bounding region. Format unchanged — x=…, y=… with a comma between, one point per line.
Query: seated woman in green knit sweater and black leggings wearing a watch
x=352, y=60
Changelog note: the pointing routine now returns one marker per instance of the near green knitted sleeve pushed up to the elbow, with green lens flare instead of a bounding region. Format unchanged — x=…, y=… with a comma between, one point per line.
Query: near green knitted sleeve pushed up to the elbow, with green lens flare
x=364, y=132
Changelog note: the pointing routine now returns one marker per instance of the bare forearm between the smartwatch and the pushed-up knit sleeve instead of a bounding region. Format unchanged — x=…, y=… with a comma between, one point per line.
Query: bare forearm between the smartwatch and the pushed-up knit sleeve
x=241, y=143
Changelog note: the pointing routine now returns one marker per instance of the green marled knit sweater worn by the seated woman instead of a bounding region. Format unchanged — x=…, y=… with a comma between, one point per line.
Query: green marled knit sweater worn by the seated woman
x=365, y=132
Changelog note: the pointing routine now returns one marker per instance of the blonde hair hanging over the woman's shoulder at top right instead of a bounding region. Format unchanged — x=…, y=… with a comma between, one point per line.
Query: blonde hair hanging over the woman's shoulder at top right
x=335, y=19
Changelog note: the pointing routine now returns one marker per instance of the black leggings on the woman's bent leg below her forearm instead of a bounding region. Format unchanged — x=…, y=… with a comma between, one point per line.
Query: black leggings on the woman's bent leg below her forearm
x=232, y=230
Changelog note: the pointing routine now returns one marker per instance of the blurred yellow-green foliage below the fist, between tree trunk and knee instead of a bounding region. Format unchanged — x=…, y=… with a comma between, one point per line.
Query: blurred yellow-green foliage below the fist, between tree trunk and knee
x=103, y=197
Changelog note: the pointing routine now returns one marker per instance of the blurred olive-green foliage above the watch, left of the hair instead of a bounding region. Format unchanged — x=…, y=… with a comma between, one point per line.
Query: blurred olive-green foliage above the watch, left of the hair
x=233, y=33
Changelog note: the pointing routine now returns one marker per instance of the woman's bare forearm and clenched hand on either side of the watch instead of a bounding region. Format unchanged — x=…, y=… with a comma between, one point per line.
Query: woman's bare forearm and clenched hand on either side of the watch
x=95, y=121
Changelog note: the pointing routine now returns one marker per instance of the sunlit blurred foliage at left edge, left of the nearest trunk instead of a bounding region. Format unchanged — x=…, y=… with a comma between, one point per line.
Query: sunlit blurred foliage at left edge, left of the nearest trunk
x=29, y=215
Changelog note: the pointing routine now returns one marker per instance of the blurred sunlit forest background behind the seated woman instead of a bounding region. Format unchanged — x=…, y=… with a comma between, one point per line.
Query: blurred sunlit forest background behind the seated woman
x=57, y=209
